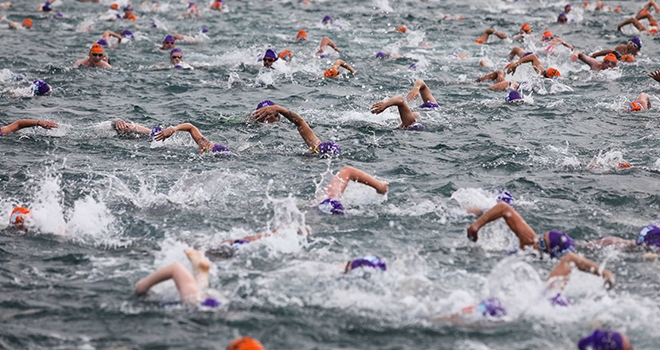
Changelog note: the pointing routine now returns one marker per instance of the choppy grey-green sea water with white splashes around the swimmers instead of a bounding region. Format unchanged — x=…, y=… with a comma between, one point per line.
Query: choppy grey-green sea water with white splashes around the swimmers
x=111, y=210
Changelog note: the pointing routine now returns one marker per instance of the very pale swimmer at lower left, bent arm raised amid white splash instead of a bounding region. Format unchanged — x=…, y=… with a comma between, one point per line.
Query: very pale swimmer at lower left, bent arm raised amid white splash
x=191, y=287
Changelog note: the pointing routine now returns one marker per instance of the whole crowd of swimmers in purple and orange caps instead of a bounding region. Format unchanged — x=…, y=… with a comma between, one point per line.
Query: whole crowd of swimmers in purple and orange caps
x=557, y=245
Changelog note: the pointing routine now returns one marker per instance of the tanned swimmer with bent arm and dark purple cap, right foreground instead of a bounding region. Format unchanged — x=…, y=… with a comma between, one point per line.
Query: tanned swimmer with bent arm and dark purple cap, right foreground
x=552, y=242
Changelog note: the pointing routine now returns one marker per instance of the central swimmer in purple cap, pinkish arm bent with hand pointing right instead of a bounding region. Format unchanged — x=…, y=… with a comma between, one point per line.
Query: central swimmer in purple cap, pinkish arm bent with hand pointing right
x=334, y=189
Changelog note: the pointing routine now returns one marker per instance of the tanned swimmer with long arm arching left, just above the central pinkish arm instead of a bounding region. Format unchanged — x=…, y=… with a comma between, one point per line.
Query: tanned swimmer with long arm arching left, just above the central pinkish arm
x=269, y=110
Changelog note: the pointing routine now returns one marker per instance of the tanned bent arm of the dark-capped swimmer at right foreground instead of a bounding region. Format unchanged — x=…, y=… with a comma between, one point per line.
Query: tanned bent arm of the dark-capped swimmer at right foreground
x=516, y=223
